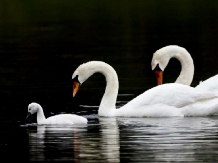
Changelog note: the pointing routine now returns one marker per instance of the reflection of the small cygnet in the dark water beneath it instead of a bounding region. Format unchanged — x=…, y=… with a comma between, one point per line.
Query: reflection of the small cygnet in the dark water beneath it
x=55, y=143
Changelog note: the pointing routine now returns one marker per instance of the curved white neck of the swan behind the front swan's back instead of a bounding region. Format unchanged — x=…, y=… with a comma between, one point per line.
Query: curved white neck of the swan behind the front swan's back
x=187, y=71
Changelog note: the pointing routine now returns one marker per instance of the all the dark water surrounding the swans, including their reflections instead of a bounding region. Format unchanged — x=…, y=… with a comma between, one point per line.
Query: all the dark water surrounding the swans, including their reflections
x=42, y=43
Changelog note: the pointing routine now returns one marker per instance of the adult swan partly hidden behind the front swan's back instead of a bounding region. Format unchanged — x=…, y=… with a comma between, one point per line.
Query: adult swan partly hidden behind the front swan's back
x=161, y=58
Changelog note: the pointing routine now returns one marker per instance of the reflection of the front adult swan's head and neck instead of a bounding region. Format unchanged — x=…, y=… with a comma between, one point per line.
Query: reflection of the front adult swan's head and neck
x=101, y=143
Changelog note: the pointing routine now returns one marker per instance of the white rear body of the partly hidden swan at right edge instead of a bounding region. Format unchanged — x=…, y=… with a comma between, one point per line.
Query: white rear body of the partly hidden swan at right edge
x=210, y=85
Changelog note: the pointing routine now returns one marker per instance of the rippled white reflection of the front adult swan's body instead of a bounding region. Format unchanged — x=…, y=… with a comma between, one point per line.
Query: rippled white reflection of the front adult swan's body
x=169, y=139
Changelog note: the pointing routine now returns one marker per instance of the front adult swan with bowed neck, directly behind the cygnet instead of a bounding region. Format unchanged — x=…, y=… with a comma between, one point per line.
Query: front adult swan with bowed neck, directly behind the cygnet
x=165, y=100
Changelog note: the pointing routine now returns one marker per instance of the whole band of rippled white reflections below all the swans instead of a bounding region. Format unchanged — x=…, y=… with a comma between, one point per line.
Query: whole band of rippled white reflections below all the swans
x=128, y=140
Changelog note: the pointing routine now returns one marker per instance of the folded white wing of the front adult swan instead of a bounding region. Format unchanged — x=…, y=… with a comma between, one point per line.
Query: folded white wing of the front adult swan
x=173, y=94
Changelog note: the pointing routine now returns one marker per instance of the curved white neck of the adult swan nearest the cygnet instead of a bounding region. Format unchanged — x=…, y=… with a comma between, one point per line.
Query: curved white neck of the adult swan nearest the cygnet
x=107, y=105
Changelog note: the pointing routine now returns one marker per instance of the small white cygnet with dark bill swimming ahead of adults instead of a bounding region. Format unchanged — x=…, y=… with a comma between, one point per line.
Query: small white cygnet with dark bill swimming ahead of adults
x=57, y=119
